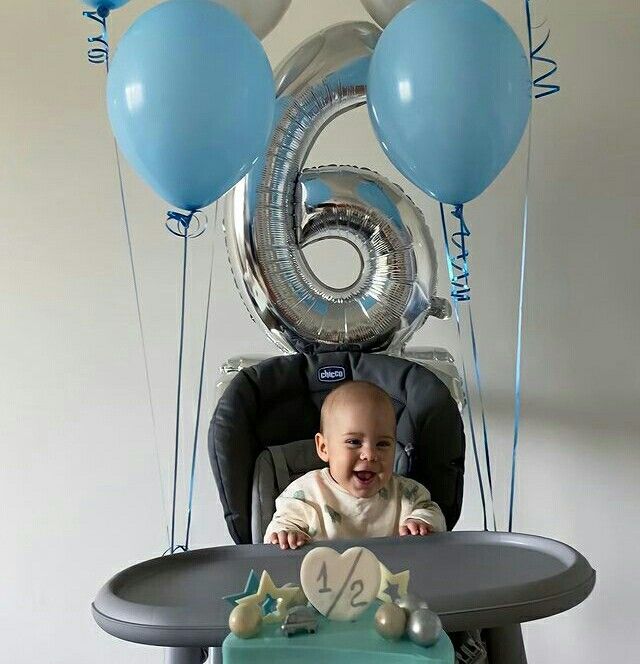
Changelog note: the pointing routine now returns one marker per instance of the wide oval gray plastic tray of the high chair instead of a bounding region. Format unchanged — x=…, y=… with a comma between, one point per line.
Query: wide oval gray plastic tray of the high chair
x=471, y=579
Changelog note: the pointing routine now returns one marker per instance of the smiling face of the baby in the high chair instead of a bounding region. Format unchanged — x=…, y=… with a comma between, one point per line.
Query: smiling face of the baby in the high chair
x=358, y=442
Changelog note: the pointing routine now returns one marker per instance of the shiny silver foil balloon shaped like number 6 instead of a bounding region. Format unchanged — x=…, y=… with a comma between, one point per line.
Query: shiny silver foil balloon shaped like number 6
x=279, y=209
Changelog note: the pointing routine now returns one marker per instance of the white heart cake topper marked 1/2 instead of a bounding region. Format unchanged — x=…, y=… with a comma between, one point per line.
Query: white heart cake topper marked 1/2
x=340, y=586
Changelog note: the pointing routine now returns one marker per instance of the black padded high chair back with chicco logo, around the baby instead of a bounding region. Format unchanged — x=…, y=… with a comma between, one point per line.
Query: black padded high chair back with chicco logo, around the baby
x=279, y=400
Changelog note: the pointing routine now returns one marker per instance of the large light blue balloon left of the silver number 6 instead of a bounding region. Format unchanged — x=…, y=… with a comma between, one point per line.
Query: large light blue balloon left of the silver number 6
x=191, y=98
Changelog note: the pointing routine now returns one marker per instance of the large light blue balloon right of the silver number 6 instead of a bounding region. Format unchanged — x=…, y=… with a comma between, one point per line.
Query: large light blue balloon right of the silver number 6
x=449, y=96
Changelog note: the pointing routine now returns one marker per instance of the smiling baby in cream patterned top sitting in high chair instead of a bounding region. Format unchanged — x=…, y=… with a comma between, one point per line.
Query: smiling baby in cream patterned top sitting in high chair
x=358, y=495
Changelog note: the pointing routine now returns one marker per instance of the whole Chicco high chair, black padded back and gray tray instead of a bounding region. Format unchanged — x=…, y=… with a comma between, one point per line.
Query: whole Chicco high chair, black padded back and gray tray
x=482, y=584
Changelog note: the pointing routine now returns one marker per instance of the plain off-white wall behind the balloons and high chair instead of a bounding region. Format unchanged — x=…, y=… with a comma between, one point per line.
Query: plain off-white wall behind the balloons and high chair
x=79, y=489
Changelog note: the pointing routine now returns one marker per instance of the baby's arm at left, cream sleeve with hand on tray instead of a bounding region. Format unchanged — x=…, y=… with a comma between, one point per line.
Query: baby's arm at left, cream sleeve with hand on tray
x=293, y=520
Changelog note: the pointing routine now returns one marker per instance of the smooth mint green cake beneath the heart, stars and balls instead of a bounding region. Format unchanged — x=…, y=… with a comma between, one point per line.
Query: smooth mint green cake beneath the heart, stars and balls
x=334, y=643
